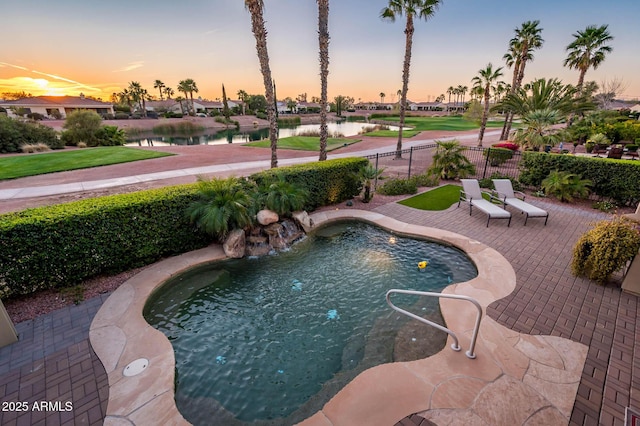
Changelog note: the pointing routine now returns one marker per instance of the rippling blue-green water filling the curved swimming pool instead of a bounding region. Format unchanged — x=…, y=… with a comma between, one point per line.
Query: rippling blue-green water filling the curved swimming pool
x=272, y=339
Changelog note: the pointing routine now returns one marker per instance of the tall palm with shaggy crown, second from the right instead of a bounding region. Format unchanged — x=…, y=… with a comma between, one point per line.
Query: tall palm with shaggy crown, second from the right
x=527, y=39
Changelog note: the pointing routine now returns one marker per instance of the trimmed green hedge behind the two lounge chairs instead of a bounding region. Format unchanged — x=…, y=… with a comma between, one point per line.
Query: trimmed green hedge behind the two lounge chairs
x=615, y=179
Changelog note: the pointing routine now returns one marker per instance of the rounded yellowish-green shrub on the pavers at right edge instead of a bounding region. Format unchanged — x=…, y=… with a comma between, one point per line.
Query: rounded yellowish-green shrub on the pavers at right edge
x=605, y=249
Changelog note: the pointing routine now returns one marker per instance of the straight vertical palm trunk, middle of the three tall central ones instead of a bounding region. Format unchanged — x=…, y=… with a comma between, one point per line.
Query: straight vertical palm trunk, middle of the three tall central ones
x=323, y=40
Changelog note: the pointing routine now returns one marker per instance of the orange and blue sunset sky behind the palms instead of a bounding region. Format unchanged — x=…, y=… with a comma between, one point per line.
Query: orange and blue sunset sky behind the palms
x=97, y=48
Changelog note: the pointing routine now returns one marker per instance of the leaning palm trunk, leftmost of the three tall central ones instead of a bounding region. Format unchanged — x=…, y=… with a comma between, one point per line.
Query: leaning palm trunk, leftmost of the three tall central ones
x=256, y=8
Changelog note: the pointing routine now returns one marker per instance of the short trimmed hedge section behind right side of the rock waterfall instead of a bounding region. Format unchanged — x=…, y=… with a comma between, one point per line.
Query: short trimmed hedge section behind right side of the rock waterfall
x=328, y=182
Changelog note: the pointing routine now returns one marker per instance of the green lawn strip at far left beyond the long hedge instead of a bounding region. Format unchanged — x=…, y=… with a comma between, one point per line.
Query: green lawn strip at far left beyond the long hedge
x=36, y=164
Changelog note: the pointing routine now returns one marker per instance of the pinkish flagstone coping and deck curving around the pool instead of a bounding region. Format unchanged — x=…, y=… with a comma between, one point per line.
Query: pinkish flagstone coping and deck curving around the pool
x=516, y=378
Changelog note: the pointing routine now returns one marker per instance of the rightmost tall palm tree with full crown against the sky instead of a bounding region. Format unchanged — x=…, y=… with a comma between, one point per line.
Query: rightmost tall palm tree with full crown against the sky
x=588, y=50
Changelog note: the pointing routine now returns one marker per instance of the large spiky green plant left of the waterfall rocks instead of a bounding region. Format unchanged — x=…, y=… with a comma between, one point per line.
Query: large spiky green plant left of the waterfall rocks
x=223, y=205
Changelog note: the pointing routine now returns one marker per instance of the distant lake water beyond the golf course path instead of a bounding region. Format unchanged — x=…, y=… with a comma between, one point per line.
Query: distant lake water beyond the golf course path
x=244, y=135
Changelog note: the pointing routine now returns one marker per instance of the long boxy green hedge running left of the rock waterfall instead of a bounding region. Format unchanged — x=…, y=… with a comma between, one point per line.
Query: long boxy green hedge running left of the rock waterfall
x=65, y=244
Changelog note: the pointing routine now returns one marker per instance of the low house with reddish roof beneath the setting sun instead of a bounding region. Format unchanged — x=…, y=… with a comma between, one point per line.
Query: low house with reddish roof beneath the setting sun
x=56, y=106
